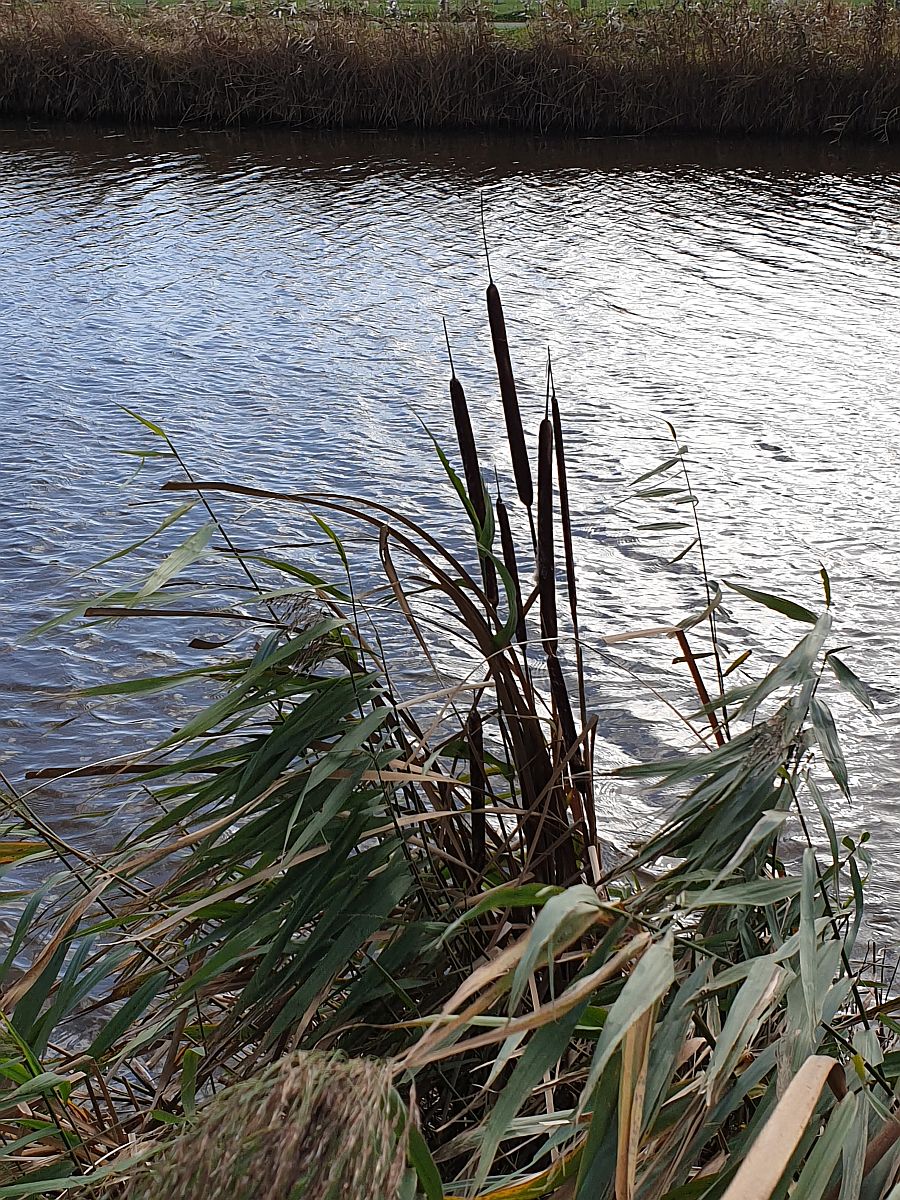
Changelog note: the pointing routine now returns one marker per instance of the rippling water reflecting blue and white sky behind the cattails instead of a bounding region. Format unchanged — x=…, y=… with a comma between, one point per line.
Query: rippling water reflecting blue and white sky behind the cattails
x=275, y=302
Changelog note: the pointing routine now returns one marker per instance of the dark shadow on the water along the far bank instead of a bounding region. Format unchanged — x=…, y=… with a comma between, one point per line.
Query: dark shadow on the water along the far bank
x=473, y=158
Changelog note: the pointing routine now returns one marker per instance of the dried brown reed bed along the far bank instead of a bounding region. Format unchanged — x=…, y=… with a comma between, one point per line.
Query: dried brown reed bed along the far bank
x=731, y=67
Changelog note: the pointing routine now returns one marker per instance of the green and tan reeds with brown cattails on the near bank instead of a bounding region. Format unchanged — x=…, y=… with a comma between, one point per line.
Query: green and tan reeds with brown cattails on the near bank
x=375, y=944
